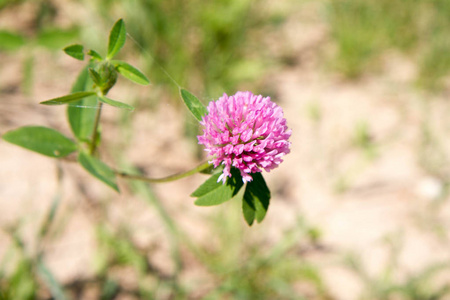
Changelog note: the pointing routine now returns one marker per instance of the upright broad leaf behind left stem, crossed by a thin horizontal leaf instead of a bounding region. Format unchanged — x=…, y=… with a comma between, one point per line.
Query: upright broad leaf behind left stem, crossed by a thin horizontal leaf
x=81, y=114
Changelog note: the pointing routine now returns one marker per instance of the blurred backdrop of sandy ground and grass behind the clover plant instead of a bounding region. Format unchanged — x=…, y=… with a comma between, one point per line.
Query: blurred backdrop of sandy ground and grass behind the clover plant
x=360, y=208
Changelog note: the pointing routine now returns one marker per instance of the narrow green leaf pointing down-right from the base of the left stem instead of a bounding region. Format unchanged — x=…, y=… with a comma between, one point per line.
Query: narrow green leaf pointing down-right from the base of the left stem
x=98, y=169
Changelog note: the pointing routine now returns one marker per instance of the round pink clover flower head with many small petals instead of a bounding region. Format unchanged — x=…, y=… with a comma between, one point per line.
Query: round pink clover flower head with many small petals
x=245, y=131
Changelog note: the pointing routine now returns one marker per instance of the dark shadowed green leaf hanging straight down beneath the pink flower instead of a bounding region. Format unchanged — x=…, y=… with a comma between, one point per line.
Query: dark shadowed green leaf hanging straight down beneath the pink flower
x=256, y=199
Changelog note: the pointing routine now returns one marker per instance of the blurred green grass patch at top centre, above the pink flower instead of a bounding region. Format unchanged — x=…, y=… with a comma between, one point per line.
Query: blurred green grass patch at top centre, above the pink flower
x=206, y=46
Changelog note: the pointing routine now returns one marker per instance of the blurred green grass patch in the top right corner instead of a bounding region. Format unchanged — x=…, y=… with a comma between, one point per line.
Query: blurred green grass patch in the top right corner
x=364, y=30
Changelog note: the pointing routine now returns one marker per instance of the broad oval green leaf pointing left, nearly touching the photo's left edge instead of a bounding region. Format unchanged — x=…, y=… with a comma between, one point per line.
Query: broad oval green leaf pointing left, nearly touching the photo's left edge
x=42, y=140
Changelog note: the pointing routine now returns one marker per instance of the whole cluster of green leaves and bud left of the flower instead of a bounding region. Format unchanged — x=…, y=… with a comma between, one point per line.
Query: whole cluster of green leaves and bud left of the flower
x=89, y=90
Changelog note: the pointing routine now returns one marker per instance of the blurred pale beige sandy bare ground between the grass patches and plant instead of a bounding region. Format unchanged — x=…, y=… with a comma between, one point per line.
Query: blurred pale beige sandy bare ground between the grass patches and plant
x=355, y=198
